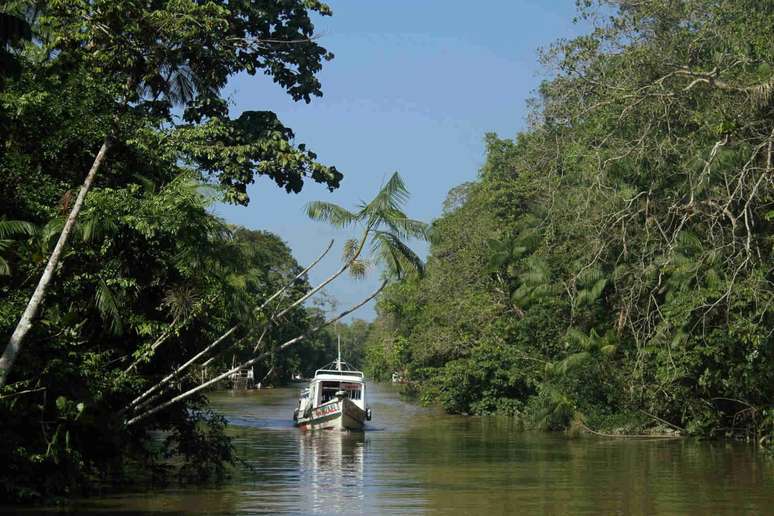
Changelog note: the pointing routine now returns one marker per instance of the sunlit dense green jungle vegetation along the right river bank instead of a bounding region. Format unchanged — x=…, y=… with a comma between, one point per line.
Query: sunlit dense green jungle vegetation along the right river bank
x=611, y=267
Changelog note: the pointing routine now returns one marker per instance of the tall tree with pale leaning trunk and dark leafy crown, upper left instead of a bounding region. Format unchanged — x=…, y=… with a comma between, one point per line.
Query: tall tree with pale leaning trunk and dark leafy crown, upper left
x=140, y=61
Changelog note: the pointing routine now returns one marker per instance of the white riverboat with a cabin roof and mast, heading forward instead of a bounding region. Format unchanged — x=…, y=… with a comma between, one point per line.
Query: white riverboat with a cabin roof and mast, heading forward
x=334, y=399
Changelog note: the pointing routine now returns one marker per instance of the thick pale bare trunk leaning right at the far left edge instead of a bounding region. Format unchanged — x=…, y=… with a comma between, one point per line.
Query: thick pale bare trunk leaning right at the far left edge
x=25, y=323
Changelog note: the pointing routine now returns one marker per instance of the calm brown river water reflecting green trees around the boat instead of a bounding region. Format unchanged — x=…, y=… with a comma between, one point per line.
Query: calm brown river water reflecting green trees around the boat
x=414, y=460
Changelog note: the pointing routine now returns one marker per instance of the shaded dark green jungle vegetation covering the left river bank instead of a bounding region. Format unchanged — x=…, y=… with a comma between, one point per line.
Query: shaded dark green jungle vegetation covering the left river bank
x=129, y=96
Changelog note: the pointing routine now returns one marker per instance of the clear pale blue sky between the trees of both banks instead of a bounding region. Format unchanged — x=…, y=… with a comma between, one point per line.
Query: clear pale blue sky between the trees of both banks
x=414, y=87
